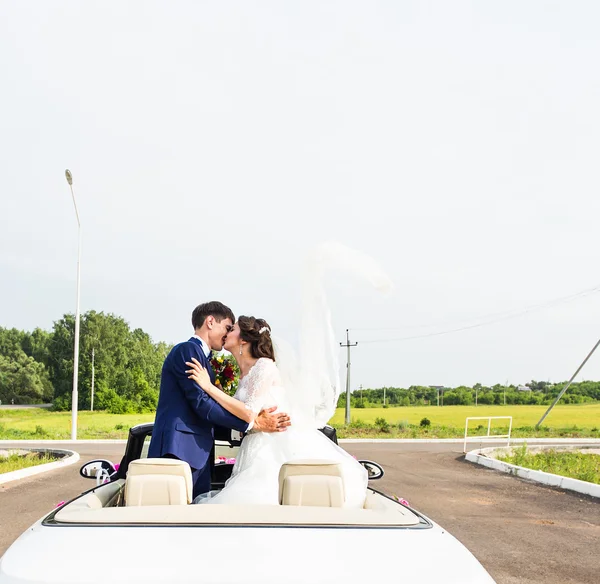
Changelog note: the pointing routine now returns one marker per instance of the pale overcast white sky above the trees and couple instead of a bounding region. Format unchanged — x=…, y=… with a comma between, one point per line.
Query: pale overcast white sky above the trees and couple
x=213, y=144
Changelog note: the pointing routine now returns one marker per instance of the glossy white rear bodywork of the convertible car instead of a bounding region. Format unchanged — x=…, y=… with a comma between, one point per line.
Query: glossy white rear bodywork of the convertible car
x=237, y=554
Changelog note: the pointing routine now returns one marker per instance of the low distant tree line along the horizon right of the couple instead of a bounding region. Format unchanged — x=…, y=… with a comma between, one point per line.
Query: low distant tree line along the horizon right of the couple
x=537, y=393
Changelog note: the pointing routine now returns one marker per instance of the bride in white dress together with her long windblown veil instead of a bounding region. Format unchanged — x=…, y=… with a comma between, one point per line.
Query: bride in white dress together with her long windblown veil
x=307, y=388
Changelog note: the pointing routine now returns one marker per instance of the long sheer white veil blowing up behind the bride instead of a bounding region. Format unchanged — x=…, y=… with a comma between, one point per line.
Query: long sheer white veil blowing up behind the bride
x=311, y=376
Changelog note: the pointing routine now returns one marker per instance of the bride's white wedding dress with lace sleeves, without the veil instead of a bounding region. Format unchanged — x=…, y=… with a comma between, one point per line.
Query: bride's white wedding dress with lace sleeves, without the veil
x=255, y=475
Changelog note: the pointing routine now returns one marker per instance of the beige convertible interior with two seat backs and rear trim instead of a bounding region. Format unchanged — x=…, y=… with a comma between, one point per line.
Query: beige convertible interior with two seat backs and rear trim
x=158, y=491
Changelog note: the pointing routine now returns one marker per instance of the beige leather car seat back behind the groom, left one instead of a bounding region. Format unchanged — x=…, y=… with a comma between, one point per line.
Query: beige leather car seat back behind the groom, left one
x=158, y=481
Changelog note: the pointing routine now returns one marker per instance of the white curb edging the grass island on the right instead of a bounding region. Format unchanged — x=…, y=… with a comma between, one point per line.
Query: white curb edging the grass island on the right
x=481, y=457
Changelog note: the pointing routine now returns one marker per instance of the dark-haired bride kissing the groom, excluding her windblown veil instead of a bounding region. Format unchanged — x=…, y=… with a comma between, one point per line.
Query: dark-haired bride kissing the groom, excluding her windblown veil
x=254, y=479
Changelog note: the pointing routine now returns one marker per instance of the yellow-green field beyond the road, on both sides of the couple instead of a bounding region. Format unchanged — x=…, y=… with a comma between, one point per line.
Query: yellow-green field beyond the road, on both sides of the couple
x=446, y=421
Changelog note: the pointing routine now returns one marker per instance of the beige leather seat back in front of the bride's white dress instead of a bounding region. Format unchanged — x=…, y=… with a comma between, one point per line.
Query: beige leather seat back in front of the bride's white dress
x=316, y=483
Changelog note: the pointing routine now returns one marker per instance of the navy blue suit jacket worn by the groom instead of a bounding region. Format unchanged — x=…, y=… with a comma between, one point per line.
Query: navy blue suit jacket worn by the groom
x=186, y=415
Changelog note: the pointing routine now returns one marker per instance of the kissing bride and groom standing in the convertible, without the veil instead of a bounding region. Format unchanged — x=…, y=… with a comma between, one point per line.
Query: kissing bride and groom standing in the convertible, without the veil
x=190, y=406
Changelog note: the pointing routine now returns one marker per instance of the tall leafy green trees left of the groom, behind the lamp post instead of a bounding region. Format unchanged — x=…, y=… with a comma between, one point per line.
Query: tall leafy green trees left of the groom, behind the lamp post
x=37, y=367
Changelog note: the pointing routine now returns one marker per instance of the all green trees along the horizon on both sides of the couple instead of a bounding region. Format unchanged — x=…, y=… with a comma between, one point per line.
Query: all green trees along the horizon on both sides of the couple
x=37, y=367
